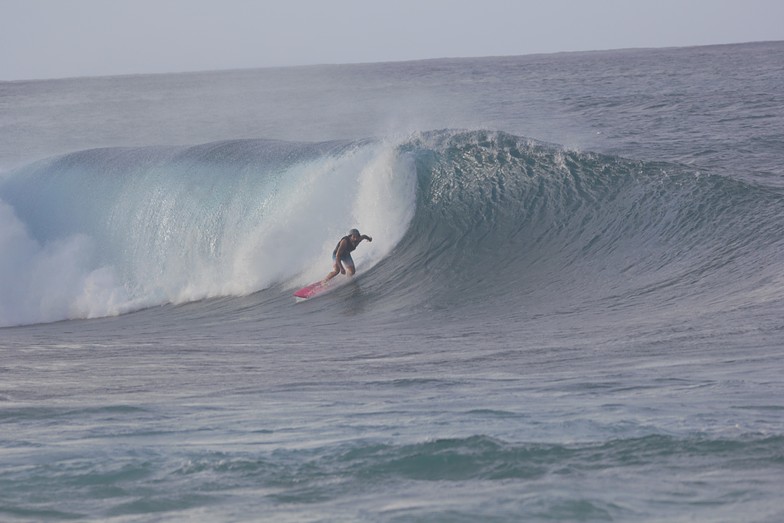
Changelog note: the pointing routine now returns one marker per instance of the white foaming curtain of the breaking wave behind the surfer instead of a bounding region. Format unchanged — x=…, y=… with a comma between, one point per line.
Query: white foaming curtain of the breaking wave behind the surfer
x=163, y=237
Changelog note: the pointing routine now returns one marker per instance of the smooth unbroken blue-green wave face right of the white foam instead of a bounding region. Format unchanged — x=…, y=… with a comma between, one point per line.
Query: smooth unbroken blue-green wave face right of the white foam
x=517, y=224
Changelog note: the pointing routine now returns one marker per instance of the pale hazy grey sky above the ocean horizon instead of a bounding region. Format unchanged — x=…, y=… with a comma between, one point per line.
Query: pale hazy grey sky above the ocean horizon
x=60, y=38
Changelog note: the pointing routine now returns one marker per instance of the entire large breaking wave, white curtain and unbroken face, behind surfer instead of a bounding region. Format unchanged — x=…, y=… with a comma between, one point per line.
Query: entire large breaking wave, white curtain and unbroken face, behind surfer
x=459, y=219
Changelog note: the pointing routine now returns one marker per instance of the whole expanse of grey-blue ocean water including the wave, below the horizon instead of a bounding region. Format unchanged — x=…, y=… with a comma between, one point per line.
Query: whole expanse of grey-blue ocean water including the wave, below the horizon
x=571, y=310
